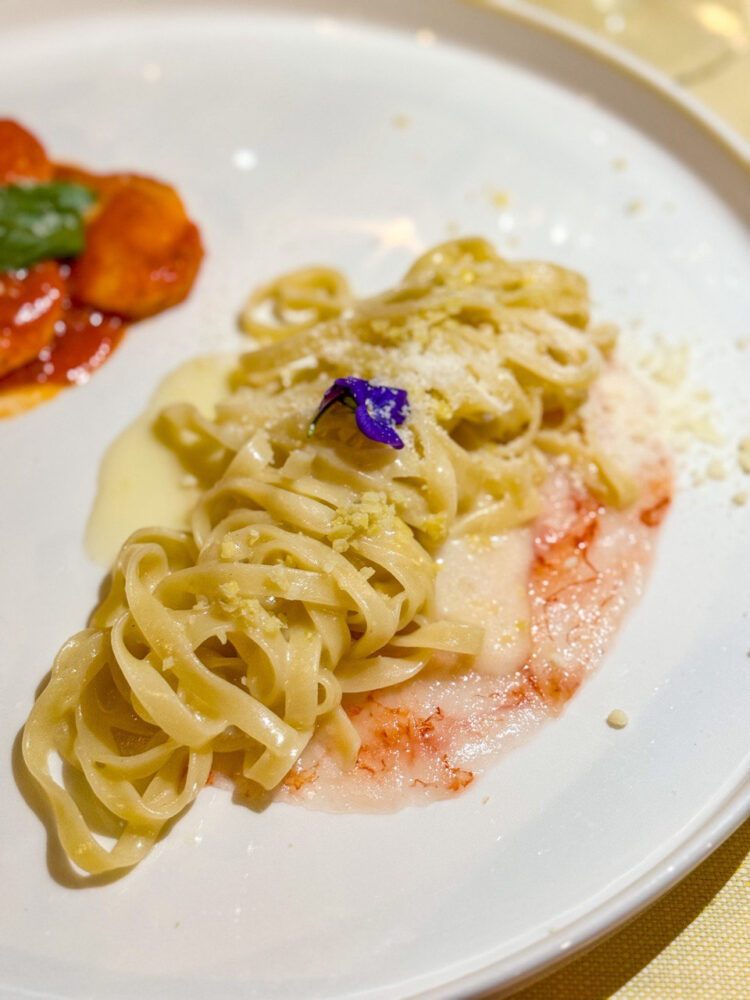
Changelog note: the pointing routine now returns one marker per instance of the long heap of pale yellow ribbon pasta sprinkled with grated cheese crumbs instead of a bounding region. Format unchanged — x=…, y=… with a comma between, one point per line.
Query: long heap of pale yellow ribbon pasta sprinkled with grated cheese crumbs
x=308, y=571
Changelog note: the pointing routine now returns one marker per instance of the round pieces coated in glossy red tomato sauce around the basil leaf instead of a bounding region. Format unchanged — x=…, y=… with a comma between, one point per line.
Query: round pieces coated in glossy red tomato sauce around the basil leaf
x=60, y=321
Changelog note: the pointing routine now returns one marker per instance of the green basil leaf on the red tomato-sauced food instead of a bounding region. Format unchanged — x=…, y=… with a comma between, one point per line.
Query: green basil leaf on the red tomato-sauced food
x=41, y=221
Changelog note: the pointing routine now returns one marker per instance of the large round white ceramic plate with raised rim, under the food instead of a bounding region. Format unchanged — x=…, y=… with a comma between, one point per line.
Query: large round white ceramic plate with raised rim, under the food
x=278, y=123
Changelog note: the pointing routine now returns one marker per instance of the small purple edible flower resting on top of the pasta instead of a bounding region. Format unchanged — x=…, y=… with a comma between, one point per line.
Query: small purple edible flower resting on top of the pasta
x=378, y=409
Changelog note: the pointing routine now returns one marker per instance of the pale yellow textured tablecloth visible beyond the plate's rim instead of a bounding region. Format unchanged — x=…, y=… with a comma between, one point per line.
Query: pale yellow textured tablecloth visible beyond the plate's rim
x=694, y=943
